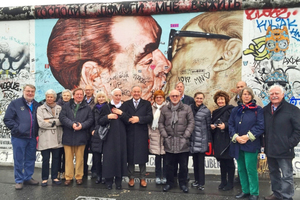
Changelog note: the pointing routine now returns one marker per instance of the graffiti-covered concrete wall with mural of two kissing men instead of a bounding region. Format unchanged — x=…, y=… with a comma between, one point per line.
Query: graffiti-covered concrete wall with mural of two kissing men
x=212, y=51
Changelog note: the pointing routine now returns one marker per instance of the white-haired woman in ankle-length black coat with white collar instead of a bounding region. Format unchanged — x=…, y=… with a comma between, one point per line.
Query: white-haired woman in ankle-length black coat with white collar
x=114, y=147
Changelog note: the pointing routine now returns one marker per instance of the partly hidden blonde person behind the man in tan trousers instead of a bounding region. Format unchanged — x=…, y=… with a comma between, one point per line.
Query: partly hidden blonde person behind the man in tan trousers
x=66, y=95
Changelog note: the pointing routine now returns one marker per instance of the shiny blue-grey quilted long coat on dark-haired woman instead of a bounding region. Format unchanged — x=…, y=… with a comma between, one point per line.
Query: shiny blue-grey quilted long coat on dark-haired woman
x=201, y=134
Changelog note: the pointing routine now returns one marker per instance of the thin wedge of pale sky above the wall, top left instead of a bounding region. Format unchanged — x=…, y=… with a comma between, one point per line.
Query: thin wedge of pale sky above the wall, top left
x=8, y=3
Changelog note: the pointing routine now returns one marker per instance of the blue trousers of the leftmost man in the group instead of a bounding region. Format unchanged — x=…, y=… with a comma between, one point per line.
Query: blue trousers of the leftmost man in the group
x=24, y=150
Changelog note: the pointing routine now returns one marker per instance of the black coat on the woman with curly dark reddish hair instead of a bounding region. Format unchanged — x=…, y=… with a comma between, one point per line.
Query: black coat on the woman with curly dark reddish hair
x=220, y=138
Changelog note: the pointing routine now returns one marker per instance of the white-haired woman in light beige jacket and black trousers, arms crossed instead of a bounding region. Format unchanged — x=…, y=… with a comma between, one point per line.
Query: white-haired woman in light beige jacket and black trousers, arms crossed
x=50, y=136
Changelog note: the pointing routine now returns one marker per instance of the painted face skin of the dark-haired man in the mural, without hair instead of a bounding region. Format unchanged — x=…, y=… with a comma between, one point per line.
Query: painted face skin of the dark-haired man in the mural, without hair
x=138, y=62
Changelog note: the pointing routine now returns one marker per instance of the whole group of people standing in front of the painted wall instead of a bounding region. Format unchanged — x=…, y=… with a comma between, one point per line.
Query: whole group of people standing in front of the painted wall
x=177, y=126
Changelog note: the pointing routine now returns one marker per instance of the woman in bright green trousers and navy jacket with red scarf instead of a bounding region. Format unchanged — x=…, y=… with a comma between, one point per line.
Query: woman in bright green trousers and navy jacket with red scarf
x=246, y=124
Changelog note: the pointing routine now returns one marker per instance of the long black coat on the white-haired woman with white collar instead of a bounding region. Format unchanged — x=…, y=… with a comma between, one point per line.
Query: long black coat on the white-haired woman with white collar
x=115, y=145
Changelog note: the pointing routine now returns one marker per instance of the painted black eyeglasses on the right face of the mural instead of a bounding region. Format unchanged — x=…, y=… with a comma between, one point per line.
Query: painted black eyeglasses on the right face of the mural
x=175, y=33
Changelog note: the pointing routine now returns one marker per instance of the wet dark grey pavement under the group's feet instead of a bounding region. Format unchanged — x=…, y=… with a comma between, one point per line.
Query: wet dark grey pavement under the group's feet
x=91, y=191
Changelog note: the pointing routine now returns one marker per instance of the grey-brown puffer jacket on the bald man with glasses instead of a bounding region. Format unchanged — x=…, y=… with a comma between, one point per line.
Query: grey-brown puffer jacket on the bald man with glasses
x=176, y=140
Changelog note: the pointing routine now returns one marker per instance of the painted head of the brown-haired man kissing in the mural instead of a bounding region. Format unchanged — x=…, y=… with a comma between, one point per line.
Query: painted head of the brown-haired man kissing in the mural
x=101, y=55
